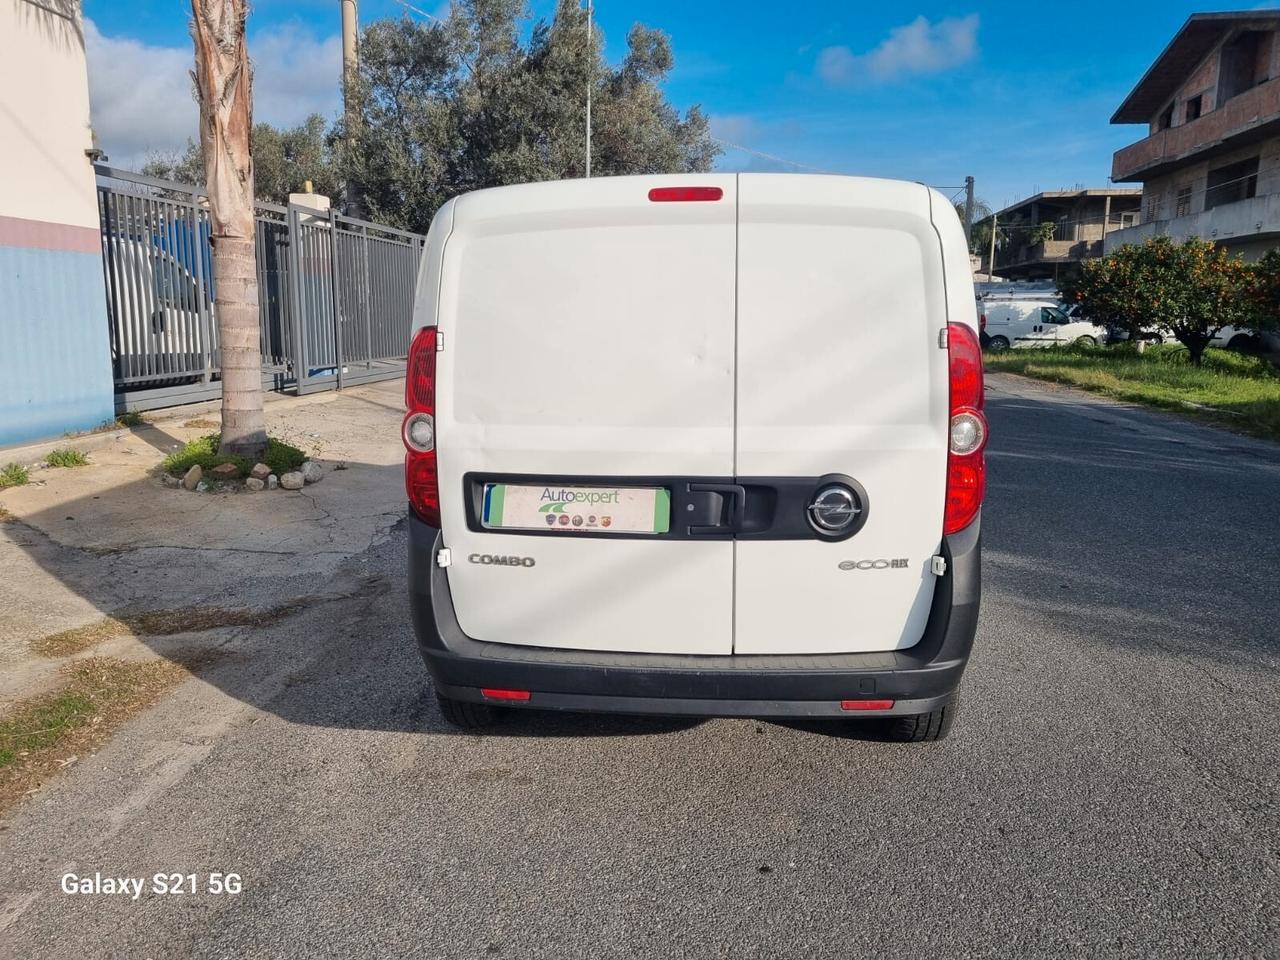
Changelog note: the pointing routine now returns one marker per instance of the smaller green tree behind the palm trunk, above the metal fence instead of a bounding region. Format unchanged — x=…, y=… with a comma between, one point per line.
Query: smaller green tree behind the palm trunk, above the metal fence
x=285, y=159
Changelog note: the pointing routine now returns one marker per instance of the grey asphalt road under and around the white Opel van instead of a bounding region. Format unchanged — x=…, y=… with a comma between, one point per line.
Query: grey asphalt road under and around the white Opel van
x=1110, y=788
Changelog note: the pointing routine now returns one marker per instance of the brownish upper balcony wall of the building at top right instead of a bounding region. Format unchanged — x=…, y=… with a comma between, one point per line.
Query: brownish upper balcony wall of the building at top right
x=1250, y=117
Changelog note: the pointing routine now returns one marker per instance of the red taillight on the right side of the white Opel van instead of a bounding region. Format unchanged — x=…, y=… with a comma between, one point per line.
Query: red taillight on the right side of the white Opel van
x=967, y=433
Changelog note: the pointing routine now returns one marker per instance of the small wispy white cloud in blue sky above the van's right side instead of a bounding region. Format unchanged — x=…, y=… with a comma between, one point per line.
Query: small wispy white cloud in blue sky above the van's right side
x=916, y=48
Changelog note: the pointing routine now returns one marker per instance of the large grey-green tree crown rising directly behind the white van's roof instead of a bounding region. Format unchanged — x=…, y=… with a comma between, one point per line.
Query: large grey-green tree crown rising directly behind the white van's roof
x=464, y=104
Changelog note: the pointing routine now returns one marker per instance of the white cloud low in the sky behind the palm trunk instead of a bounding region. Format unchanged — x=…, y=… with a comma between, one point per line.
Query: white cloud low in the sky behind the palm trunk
x=141, y=94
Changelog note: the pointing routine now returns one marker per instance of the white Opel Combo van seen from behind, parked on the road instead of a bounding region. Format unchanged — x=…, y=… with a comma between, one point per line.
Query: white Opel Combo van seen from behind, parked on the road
x=702, y=445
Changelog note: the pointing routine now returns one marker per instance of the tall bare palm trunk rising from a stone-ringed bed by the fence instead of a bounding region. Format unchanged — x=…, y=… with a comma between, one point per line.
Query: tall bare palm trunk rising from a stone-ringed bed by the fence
x=225, y=89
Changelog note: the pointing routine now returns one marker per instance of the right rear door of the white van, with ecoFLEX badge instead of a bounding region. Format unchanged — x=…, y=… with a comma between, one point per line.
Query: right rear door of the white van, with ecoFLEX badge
x=840, y=371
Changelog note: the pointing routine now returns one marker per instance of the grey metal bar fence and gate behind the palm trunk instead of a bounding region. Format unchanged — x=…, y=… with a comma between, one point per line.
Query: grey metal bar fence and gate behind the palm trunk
x=336, y=295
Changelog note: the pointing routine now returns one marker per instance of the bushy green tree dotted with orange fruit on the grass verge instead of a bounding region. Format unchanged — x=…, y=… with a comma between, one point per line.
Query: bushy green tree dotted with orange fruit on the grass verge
x=1190, y=290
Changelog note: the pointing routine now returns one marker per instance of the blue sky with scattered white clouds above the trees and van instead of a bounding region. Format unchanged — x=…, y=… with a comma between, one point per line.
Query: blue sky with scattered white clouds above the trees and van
x=1017, y=95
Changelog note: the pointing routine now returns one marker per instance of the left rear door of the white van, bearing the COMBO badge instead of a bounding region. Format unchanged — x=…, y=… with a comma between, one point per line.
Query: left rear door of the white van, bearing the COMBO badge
x=588, y=337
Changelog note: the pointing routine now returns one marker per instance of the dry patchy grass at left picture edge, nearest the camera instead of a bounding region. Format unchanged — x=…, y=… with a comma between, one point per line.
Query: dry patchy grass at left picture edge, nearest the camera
x=47, y=734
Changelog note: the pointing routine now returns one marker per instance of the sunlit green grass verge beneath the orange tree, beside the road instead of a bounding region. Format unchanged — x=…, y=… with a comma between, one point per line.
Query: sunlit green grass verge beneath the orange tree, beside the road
x=1232, y=390
